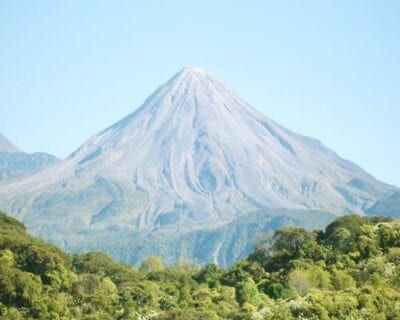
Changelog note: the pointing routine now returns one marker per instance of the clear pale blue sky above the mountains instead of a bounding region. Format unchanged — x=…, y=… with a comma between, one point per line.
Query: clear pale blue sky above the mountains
x=327, y=69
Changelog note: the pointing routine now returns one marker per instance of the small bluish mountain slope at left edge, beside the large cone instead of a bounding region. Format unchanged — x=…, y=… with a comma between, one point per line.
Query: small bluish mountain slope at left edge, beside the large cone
x=16, y=164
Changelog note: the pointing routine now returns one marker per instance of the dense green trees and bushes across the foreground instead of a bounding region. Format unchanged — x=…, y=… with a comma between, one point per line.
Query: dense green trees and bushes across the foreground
x=349, y=271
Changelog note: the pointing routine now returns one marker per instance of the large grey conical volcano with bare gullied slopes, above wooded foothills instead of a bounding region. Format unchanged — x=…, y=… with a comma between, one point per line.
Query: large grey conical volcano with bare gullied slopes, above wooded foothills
x=194, y=155
